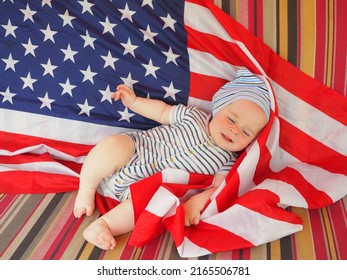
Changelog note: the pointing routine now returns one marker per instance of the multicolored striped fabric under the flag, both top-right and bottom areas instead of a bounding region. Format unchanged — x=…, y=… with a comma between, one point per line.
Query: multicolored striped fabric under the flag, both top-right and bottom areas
x=43, y=227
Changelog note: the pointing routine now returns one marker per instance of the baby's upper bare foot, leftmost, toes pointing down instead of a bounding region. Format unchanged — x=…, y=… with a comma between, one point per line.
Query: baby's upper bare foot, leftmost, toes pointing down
x=84, y=203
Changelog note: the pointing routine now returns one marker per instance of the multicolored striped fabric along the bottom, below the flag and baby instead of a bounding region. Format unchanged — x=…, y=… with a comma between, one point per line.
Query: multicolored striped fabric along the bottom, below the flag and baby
x=43, y=227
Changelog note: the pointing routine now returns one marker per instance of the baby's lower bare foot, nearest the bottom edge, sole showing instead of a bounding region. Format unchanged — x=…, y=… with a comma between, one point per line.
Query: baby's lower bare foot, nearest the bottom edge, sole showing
x=100, y=235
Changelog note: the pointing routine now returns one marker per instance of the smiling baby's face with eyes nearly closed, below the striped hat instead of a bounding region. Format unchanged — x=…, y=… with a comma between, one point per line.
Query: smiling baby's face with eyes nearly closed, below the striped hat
x=235, y=126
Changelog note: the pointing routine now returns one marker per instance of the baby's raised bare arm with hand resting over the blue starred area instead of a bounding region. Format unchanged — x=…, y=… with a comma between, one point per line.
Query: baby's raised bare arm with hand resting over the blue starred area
x=156, y=110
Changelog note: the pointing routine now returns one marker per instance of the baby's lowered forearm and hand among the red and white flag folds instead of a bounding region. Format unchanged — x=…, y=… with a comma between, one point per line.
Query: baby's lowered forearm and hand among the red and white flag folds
x=194, y=205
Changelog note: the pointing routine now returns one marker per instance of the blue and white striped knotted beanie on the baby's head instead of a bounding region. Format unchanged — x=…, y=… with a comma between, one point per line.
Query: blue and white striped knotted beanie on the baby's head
x=246, y=86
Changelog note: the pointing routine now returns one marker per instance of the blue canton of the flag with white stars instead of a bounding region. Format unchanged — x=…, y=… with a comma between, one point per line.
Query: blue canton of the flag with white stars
x=65, y=58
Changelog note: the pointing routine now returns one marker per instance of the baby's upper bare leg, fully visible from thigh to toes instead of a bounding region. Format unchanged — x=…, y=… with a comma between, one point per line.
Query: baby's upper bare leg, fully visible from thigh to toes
x=108, y=156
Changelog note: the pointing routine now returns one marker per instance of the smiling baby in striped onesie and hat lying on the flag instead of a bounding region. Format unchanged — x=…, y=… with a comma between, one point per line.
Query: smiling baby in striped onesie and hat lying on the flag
x=189, y=139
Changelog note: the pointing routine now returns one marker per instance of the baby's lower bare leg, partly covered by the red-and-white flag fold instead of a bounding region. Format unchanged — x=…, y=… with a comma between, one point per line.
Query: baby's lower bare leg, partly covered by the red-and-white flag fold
x=117, y=221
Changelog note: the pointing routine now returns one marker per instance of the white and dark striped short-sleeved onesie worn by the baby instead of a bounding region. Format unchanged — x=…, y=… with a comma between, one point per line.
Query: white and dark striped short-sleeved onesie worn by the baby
x=184, y=144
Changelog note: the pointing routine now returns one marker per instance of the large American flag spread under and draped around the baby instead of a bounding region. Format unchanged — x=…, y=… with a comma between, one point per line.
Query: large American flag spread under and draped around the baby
x=60, y=61
